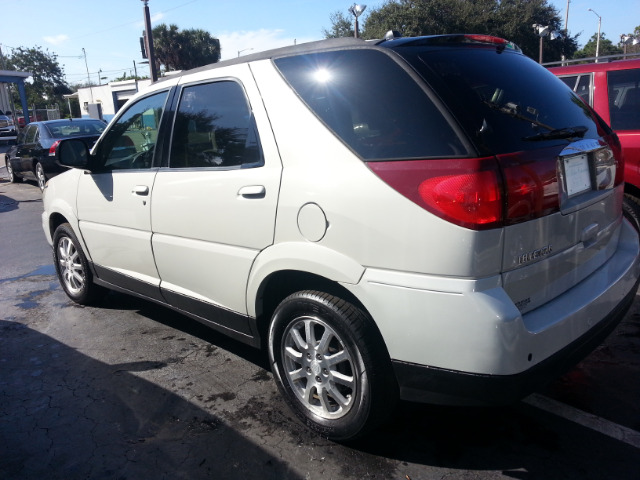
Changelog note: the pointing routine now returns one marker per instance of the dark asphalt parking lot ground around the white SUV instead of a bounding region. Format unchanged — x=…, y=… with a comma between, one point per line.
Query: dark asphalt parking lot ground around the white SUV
x=133, y=390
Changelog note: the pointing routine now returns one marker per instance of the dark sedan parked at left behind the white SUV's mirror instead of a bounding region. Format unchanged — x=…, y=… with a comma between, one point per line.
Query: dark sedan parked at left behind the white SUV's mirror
x=33, y=156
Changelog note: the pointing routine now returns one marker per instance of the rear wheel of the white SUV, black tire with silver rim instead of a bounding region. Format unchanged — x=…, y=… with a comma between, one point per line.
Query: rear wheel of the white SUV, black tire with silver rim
x=331, y=365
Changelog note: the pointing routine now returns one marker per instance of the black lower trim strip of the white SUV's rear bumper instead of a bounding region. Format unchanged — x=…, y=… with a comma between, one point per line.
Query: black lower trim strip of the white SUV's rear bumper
x=419, y=383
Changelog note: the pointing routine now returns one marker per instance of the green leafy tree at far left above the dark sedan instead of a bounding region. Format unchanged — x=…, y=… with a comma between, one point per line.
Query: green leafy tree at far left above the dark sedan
x=47, y=81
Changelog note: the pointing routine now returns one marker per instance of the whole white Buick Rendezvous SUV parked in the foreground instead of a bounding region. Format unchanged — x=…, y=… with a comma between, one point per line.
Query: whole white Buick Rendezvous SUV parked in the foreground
x=434, y=219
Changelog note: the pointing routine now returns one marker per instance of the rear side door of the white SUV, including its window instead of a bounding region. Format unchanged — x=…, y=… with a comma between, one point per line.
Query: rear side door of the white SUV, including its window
x=214, y=206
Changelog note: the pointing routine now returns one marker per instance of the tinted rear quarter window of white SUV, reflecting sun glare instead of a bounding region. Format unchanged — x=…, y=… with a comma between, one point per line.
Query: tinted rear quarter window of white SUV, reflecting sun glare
x=372, y=104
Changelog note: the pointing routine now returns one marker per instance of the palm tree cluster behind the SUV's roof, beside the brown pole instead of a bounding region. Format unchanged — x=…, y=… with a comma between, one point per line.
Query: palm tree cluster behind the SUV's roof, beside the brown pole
x=183, y=50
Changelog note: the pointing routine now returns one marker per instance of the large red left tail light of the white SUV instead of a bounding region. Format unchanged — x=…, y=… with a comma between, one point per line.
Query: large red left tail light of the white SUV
x=478, y=193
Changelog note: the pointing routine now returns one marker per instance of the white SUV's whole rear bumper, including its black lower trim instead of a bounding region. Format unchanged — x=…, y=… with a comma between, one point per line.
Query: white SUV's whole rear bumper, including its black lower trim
x=459, y=341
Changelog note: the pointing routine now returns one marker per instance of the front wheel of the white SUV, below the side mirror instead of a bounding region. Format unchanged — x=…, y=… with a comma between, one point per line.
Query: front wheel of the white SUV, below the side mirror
x=72, y=267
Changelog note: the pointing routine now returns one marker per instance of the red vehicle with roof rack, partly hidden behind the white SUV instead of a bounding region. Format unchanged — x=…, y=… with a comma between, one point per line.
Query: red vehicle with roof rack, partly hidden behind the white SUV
x=613, y=90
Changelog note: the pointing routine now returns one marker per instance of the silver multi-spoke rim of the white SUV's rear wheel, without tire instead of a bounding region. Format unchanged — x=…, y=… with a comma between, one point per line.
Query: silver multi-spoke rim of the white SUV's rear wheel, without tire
x=319, y=368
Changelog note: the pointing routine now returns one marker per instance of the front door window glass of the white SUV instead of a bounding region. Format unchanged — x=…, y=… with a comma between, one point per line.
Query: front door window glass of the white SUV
x=130, y=142
